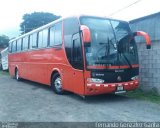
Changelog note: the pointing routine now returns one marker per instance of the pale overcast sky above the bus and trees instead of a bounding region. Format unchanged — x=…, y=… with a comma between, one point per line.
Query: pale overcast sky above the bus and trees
x=12, y=11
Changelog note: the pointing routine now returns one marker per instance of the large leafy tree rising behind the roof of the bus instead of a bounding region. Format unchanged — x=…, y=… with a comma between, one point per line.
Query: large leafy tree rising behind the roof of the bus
x=35, y=20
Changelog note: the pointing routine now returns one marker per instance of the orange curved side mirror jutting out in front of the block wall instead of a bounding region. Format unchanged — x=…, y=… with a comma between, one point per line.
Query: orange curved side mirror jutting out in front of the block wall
x=146, y=36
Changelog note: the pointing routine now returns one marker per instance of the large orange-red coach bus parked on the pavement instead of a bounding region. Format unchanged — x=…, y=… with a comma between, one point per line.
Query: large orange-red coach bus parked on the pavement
x=86, y=55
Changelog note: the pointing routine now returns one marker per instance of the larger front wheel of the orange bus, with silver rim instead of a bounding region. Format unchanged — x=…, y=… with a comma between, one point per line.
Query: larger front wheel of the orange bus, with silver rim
x=56, y=84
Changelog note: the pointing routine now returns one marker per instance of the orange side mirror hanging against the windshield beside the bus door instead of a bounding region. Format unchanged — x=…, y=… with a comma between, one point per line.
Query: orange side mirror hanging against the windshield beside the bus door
x=86, y=34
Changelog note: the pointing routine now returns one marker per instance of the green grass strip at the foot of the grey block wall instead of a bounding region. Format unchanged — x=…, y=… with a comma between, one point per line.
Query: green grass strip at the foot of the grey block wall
x=147, y=96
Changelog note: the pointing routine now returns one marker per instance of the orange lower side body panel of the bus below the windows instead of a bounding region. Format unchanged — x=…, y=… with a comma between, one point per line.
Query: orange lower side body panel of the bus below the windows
x=38, y=66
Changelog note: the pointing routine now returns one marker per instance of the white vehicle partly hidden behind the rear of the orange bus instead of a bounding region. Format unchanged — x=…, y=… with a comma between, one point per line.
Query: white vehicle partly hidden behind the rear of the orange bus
x=4, y=59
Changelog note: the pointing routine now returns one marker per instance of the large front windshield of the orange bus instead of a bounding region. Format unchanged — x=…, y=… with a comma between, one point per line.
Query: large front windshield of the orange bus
x=112, y=43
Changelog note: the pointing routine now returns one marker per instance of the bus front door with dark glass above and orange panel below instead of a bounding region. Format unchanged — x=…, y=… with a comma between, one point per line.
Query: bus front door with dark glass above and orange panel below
x=77, y=64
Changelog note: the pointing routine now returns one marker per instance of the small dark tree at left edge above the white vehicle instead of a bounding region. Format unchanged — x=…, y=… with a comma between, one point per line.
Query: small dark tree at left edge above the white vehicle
x=4, y=41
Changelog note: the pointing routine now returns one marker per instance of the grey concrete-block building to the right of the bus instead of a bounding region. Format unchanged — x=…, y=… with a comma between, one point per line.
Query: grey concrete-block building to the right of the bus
x=149, y=59
